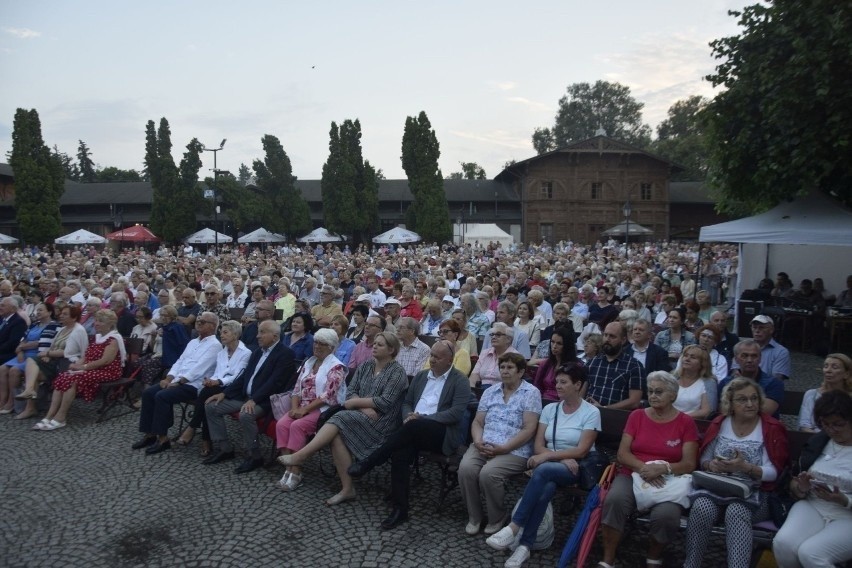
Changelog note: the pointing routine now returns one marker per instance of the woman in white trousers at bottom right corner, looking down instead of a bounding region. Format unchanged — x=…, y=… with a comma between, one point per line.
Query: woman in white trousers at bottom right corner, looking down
x=817, y=529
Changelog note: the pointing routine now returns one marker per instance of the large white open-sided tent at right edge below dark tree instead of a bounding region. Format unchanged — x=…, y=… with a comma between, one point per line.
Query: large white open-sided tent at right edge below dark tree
x=808, y=237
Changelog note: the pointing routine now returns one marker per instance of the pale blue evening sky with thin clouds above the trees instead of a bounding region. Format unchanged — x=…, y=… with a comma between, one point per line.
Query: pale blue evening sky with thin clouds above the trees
x=487, y=73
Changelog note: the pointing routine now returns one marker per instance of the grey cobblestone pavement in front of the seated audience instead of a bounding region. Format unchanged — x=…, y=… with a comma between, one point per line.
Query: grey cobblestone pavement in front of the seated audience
x=80, y=496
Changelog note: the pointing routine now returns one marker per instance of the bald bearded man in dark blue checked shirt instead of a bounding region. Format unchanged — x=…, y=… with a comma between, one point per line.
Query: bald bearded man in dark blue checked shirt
x=615, y=377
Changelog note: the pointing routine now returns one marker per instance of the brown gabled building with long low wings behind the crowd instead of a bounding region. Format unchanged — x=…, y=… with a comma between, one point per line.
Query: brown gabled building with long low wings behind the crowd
x=574, y=193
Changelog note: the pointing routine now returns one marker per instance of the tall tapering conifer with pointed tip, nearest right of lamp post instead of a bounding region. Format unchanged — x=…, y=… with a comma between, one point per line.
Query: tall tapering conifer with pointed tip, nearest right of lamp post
x=288, y=211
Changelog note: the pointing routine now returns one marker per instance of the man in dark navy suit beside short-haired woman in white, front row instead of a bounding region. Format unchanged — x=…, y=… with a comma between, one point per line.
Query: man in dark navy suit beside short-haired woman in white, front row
x=271, y=369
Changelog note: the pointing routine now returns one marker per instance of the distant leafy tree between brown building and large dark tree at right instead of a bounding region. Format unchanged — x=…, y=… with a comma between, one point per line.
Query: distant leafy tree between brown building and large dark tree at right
x=681, y=139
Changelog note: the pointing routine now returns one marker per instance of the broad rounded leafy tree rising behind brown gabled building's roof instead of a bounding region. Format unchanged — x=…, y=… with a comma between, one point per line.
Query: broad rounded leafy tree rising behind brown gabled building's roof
x=586, y=108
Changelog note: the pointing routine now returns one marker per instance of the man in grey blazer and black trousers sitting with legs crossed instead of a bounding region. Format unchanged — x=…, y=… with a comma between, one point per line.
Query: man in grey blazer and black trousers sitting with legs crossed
x=433, y=413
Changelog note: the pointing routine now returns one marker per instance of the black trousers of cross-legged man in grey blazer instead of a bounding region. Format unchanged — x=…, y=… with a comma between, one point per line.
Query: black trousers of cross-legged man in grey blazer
x=421, y=434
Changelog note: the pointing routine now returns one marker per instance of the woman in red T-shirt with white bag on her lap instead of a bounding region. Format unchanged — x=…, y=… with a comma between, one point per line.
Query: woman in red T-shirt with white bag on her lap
x=658, y=440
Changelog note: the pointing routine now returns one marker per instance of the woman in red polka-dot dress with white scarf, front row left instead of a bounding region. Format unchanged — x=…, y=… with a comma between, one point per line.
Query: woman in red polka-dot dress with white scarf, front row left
x=102, y=363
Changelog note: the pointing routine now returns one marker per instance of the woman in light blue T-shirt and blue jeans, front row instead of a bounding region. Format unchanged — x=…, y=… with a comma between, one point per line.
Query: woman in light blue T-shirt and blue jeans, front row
x=566, y=433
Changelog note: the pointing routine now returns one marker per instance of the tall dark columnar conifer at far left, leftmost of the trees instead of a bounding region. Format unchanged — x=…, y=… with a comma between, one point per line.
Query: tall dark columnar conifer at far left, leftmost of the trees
x=39, y=180
